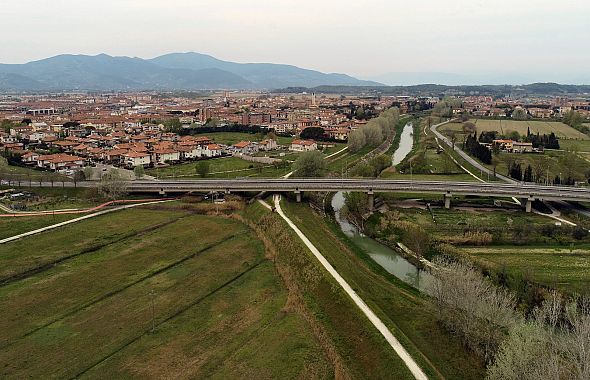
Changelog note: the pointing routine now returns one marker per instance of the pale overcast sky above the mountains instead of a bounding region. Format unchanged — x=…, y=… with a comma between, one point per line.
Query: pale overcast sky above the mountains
x=367, y=39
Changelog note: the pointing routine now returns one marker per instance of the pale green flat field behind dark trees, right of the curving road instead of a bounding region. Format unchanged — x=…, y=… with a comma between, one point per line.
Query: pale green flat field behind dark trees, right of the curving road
x=504, y=127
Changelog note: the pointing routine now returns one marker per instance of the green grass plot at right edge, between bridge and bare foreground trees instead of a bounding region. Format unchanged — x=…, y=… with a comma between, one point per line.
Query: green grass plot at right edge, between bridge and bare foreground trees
x=553, y=267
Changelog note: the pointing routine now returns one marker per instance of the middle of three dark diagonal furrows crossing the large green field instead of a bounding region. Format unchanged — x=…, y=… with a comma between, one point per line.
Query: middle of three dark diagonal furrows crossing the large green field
x=129, y=285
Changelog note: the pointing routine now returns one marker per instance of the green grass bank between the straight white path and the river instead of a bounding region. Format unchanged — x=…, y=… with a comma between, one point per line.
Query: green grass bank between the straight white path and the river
x=407, y=313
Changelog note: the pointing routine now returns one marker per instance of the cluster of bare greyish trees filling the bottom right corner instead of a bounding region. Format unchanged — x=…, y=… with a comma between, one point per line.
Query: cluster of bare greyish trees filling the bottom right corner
x=549, y=343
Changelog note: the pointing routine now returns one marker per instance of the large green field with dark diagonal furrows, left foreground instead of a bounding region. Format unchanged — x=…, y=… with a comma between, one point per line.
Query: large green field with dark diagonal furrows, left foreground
x=150, y=293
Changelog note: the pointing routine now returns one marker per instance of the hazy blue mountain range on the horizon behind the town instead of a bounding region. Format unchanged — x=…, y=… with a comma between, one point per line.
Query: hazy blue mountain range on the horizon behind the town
x=176, y=71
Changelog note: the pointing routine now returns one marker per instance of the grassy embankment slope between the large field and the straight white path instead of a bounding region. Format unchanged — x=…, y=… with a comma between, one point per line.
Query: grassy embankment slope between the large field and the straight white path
x=357, y=347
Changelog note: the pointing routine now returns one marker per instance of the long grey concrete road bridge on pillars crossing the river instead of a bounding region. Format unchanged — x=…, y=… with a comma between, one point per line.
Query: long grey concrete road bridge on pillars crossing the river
x=526, y=192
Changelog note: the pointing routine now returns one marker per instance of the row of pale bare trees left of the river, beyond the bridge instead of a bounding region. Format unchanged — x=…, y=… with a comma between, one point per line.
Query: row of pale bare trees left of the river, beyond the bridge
x=375, y=131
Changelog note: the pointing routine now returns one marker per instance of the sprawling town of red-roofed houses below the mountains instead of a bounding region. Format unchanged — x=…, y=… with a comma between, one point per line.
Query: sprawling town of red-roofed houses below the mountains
x=66, y=132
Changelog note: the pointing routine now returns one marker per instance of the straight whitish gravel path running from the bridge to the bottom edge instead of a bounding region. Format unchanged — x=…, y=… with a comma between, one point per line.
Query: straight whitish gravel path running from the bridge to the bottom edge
x=393, y=342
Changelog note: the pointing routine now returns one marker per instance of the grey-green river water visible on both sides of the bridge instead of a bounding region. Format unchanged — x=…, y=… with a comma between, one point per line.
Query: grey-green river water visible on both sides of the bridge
x=389, y=259
